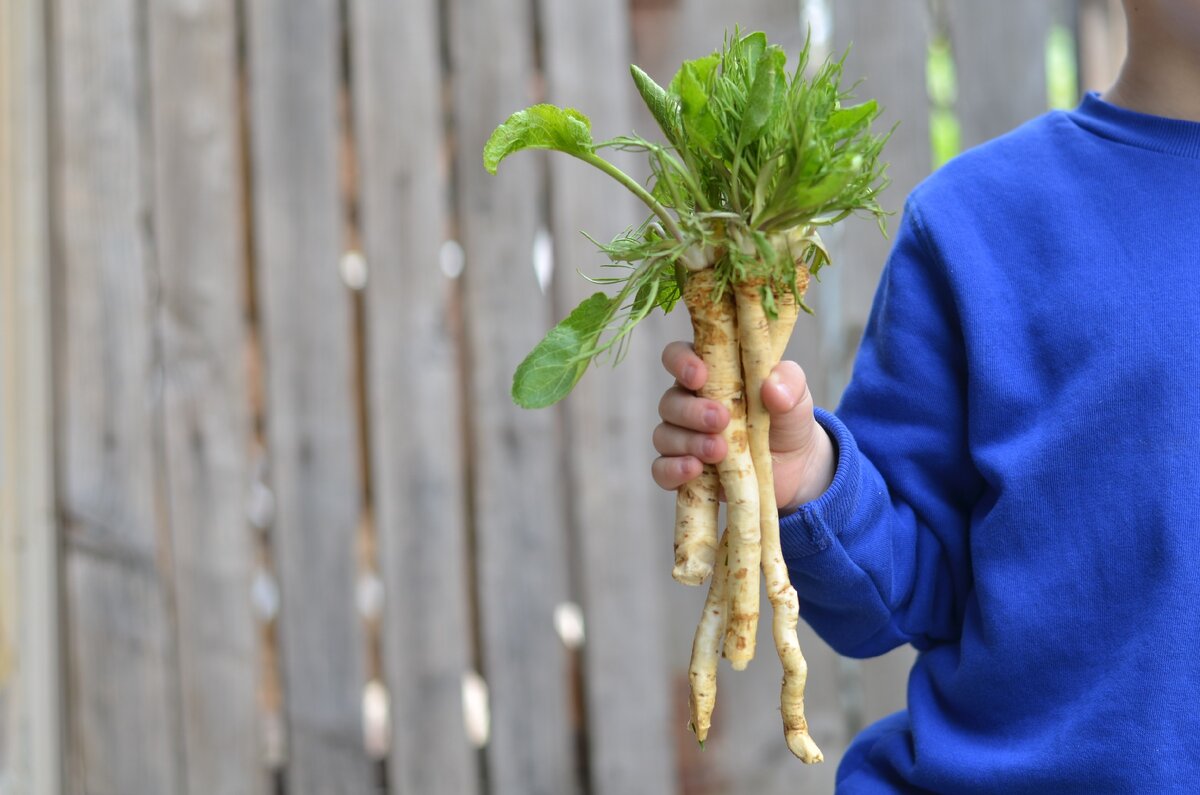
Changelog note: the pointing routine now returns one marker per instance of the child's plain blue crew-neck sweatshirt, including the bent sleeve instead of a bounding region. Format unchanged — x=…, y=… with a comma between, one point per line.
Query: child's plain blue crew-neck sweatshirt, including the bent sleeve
x=1018, y=481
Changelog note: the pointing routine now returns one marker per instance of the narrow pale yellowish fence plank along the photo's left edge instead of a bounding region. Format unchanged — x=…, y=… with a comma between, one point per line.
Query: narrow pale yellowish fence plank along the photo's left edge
x=31, y=719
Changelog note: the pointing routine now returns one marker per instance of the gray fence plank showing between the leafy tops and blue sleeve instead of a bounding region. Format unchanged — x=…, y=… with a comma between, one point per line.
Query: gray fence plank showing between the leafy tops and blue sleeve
x=890, y=51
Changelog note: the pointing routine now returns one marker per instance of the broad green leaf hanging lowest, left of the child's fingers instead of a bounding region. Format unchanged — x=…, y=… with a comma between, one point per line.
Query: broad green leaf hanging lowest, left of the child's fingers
x=559, y=362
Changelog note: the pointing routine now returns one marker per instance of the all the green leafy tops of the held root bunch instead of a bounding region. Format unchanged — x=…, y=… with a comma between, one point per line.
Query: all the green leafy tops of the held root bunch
x=757, y=160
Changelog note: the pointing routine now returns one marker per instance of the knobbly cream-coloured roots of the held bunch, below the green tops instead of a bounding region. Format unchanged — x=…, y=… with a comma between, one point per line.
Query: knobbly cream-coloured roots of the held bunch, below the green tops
x=741, y=346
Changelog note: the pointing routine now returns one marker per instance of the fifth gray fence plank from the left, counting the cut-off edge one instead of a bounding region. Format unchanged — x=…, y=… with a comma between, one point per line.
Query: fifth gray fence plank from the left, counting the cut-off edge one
x=415, y=396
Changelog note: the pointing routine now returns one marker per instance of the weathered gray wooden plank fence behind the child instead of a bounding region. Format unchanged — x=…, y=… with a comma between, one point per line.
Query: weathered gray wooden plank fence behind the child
x=271, y=523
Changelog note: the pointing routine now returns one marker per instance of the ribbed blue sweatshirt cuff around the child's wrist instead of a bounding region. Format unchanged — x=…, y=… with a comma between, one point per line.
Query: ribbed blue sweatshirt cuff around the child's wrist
x=813, y=527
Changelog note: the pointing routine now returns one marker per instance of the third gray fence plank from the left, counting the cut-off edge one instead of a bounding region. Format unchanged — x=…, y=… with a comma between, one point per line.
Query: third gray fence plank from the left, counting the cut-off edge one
x=200, y=236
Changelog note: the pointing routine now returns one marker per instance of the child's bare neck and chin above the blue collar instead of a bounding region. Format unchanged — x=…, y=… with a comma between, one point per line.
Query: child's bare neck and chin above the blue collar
x=1161, y=75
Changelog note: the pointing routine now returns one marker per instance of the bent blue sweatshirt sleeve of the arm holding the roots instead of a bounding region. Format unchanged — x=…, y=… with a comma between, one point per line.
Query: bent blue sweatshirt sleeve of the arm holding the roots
x=881, y=558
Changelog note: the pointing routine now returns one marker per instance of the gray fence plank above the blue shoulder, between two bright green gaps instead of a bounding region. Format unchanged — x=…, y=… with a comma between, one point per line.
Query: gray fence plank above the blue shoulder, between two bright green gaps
x=1001, y=67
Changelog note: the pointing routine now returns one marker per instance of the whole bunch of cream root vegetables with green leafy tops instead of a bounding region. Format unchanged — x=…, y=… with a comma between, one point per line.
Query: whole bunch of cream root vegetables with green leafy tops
x=758, y=160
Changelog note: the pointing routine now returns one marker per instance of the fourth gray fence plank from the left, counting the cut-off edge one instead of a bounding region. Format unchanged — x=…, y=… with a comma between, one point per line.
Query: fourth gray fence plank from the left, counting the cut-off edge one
x=313, y=433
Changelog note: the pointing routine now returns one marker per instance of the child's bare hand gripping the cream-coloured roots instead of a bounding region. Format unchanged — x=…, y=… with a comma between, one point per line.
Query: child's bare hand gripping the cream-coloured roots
x=691, y=432
